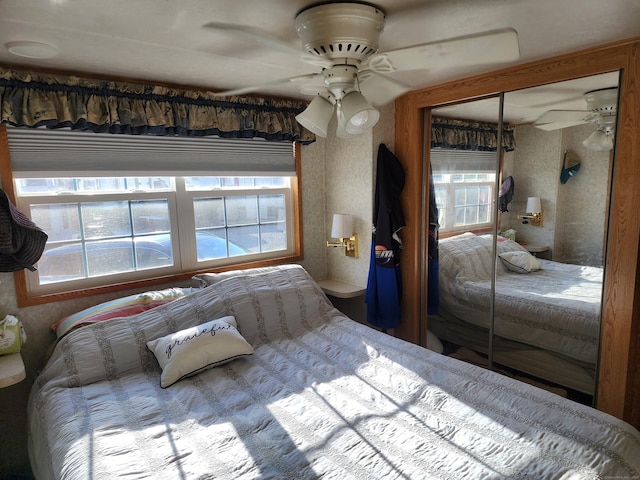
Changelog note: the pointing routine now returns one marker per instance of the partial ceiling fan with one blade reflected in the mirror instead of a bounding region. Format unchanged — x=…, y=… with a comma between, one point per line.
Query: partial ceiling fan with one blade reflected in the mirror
x=601, y=109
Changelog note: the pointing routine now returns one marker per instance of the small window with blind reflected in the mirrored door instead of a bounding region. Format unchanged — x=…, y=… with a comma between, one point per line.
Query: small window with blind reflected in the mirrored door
x=464, y=183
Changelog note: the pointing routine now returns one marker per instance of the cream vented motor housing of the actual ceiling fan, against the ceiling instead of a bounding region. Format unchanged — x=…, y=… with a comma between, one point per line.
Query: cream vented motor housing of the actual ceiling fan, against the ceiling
x=347, y=32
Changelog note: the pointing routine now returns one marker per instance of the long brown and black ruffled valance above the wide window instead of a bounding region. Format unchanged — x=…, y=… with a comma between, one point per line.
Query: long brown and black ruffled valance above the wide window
x=29, y=99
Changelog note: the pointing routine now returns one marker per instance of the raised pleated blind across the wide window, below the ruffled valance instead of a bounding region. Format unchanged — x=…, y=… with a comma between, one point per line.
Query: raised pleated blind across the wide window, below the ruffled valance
x=45, y=153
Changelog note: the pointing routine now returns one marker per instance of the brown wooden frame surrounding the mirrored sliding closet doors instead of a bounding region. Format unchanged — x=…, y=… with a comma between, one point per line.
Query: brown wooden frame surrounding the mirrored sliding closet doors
x=619, y=365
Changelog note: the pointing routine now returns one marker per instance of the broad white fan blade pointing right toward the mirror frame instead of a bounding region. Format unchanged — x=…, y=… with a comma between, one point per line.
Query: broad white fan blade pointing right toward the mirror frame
x=491, y=47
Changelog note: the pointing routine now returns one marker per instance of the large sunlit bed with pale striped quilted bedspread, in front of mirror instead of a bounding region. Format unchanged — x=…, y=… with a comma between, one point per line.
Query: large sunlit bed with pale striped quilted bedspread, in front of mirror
x=317, y=396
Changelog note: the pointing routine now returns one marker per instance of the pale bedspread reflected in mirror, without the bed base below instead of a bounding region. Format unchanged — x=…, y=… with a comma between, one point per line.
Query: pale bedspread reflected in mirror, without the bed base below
x=556, y=308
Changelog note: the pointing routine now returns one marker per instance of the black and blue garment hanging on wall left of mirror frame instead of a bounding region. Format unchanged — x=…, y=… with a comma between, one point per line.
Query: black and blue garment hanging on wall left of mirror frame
x=384, y=285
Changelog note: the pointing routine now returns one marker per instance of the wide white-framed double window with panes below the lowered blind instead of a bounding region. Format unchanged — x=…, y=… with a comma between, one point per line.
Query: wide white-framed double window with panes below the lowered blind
x=106, y=229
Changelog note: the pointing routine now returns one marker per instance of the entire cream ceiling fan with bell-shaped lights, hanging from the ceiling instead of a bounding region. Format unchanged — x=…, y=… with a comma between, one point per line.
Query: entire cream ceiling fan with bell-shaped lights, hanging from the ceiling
x=342, y=40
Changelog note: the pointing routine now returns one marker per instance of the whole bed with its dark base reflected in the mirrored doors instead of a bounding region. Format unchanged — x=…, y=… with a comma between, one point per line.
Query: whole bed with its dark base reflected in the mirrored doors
x=547, y=321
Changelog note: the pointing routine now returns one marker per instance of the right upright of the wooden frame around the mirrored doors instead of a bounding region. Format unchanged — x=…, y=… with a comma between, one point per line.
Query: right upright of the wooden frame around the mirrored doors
x=619, y=372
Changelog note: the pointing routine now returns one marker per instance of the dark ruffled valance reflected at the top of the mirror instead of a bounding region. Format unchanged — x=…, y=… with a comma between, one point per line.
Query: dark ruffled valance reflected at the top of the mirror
x=467, y=135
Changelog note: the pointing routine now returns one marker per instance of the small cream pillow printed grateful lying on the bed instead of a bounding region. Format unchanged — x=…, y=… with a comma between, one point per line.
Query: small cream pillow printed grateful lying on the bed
x=198, y=348
